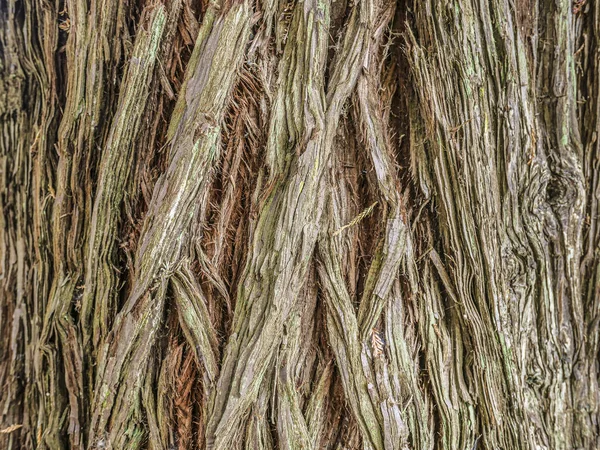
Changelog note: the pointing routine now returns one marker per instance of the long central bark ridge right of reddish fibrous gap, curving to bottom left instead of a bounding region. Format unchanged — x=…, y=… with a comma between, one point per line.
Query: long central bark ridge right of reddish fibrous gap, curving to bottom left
x=285, y=234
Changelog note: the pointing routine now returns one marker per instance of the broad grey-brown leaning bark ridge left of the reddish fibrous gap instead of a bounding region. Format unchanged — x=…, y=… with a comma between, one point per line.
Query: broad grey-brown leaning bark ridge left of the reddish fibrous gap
x=194, y=148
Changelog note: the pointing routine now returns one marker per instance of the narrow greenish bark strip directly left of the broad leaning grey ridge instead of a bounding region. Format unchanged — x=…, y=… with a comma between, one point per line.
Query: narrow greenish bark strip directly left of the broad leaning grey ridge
x=117, y=157
